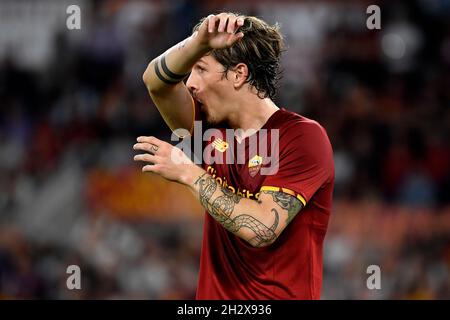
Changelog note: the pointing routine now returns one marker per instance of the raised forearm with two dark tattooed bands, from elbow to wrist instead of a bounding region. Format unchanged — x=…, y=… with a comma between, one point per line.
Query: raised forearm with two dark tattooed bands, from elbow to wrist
x=166, y=70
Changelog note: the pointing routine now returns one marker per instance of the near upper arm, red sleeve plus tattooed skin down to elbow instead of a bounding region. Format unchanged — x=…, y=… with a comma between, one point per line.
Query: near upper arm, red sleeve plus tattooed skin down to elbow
x=304, y=165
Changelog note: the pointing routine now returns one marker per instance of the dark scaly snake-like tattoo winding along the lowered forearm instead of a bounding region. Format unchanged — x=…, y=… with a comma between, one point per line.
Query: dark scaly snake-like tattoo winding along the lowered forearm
x=222, y=207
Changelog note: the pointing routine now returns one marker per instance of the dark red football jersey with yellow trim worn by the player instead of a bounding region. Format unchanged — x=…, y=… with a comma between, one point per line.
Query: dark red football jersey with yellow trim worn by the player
x=291, y=267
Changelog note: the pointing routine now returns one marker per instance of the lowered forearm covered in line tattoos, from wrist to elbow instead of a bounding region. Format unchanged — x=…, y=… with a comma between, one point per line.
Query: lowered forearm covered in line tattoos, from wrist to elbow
x=244, y=217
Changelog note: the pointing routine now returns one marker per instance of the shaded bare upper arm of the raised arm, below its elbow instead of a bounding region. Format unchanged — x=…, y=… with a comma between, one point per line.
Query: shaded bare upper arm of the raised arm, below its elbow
x=174, y=102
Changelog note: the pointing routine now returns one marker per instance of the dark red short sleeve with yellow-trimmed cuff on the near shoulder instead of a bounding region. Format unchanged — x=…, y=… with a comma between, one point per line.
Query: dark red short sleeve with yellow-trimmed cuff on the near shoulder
x=305, y=161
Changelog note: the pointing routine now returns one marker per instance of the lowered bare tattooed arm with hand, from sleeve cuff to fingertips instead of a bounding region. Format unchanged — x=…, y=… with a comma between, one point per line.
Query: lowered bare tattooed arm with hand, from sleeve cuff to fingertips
x=259, y=222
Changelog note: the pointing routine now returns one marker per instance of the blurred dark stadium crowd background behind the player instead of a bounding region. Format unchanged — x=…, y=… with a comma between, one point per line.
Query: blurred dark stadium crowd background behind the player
x=72, y=103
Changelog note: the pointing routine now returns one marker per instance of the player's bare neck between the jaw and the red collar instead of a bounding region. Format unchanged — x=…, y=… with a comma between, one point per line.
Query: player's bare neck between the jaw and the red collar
x=251, y=114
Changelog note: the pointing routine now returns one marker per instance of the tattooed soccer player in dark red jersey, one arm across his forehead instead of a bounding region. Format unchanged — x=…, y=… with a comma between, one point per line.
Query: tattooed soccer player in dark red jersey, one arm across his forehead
x=263, y=233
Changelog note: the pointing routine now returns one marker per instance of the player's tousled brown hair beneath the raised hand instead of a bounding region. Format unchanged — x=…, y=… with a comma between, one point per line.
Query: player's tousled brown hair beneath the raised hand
x=260, y=49
